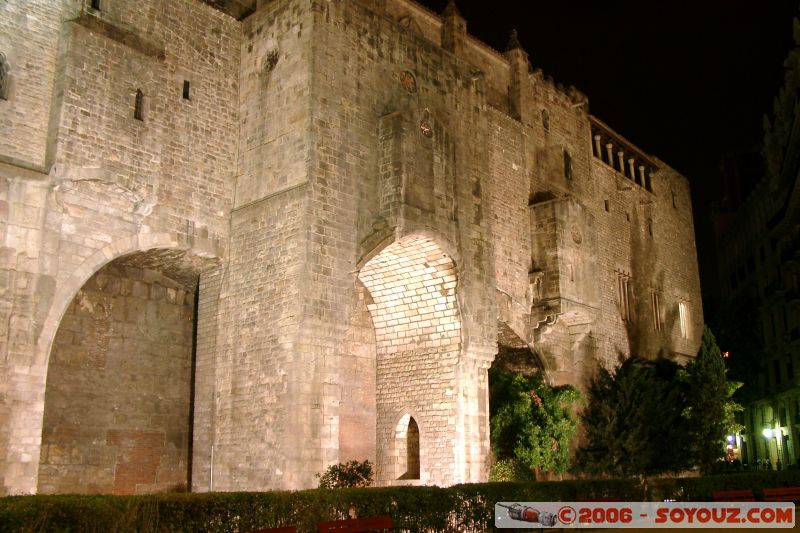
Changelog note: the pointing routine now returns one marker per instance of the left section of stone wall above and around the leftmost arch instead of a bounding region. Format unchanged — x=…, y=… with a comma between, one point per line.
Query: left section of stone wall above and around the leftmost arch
x=92, y=182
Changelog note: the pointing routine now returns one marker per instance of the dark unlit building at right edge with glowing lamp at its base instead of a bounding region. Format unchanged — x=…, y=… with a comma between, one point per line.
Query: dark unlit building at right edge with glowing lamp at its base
x=758, y=240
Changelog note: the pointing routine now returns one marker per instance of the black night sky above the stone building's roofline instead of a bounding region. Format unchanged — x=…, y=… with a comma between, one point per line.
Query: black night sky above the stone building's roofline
x=686, y=82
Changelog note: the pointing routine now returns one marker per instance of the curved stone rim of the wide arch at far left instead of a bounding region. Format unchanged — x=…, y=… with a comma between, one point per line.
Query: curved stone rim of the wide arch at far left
x=26, y=423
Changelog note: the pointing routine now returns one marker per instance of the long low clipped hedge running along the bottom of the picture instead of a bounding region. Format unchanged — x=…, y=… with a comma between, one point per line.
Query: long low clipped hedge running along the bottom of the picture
x=461, y=508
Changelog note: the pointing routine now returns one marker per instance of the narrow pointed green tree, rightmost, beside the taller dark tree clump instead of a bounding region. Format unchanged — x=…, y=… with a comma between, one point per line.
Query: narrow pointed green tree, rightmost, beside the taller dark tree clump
x=710, y=409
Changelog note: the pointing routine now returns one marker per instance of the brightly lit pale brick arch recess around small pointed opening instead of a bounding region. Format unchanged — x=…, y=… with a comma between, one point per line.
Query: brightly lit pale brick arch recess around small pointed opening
x=412, y=284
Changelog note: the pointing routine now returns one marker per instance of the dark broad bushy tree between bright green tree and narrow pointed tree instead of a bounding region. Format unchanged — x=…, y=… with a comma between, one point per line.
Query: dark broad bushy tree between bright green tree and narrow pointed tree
x=634, y=422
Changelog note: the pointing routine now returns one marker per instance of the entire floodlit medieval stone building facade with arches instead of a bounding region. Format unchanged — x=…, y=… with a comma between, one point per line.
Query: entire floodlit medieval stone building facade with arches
x=241, y=241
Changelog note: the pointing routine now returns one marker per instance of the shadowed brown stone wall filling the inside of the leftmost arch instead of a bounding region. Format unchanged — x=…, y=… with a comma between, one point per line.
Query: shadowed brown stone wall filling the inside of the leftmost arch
x=116, y=414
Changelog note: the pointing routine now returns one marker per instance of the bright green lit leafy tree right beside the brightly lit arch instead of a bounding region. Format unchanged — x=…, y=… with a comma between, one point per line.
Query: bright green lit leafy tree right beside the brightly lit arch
x=532, y=422
